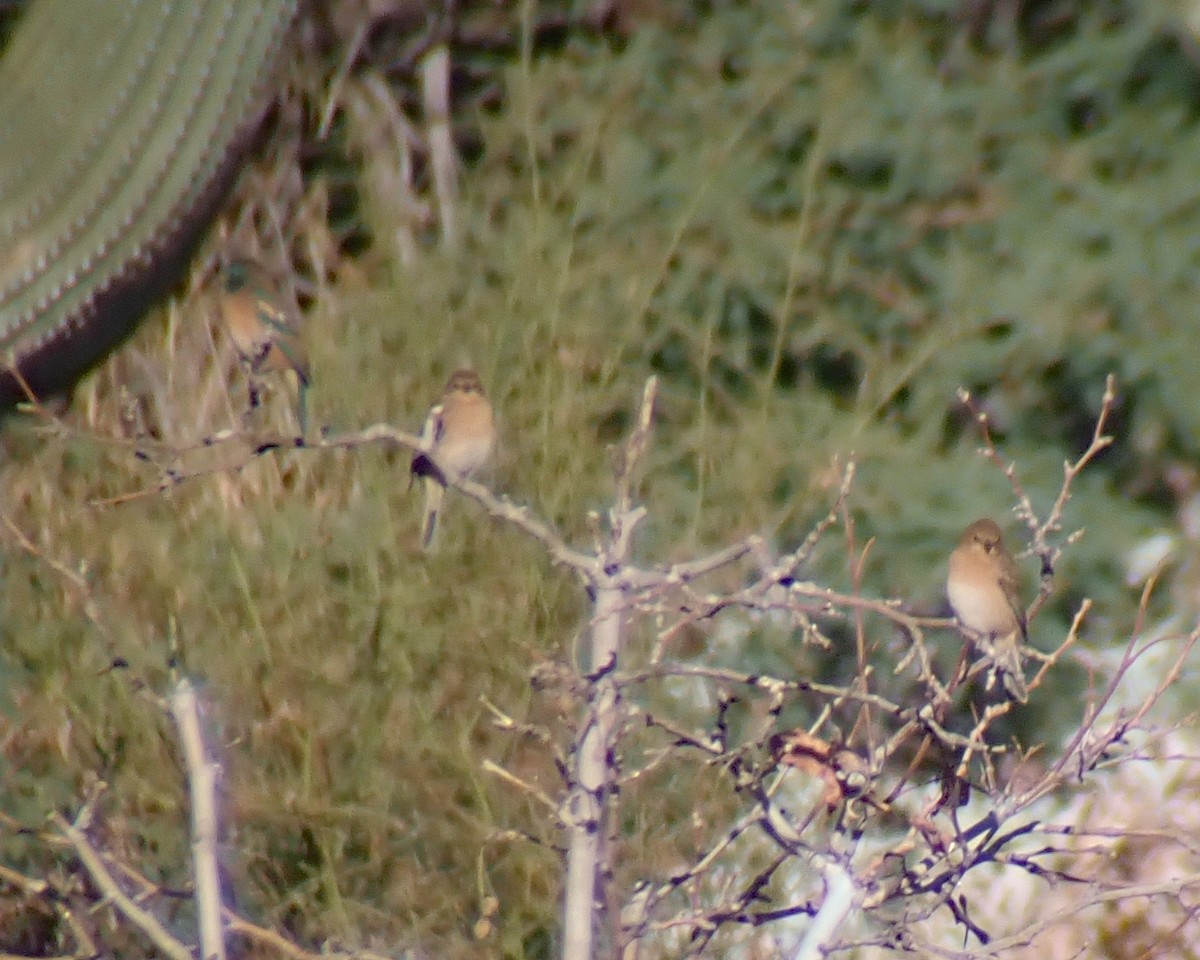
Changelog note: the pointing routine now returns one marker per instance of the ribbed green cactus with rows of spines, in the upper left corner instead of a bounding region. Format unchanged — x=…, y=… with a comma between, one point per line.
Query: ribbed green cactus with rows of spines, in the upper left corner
x=122, y=123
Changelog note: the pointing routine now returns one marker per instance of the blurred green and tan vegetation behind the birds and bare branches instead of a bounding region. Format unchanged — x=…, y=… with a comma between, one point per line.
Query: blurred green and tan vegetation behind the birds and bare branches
x=815, y=221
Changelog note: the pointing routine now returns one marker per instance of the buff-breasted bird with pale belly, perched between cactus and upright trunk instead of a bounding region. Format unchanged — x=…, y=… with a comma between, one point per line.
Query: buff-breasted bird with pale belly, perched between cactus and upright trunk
x=460, y=433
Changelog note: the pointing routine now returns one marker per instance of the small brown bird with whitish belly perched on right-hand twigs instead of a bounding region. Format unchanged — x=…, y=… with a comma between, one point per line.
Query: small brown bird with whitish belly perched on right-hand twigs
x=983, y=591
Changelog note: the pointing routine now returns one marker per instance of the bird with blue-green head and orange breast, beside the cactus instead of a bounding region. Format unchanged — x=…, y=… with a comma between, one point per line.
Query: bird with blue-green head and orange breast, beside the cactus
x=266, y=331
